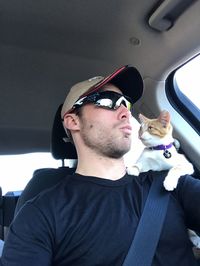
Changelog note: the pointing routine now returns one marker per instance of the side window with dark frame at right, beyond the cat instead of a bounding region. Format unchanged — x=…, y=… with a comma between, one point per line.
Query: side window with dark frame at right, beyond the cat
x=183, y=91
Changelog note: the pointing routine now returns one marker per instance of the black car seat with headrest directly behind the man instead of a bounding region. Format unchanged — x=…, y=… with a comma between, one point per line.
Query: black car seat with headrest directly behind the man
x=47, y=177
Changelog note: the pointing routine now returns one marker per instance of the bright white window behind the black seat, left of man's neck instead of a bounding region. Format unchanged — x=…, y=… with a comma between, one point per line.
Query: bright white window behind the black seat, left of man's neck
x=17, y=170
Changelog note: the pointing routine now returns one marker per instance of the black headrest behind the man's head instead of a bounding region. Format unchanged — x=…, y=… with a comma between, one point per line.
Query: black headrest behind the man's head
x=59, y=148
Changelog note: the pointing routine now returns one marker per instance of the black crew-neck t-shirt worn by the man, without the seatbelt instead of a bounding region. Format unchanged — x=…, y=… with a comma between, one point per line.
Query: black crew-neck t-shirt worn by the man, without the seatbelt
x=90, y=221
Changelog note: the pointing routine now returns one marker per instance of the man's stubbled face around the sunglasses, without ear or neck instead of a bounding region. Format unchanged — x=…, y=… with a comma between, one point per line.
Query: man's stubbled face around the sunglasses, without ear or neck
x=107, y=132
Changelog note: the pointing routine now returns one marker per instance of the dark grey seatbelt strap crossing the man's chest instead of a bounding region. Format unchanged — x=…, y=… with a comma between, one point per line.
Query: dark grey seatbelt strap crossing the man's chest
x=142, y=249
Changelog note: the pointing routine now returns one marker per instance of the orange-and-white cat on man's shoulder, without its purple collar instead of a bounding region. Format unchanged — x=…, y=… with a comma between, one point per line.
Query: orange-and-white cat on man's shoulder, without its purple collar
x=153, y=133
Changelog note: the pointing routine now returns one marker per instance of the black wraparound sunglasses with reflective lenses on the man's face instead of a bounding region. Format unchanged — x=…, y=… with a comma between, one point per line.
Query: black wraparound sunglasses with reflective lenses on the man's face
x=105, y=99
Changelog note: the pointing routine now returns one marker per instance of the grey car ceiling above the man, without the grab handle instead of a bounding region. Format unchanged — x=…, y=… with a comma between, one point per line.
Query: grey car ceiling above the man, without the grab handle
x=47, y=46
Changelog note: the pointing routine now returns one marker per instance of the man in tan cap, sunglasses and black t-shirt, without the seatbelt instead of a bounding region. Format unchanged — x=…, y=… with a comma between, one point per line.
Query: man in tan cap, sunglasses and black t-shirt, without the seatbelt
x=91, y=217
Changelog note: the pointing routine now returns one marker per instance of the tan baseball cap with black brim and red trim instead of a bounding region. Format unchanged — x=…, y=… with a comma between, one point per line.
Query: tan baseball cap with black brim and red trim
x=126, y=78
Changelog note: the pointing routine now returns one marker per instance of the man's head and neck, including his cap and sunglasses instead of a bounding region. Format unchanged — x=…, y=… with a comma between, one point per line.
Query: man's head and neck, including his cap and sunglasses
x=101, y=133
